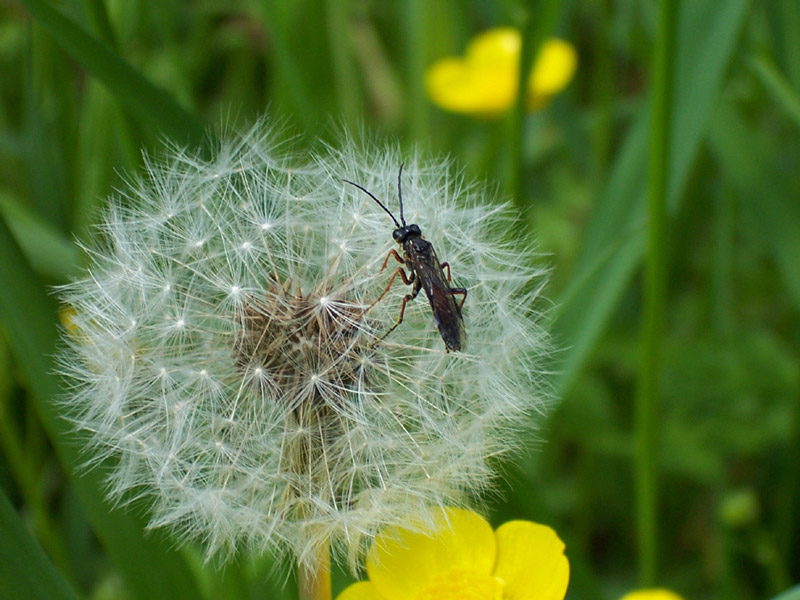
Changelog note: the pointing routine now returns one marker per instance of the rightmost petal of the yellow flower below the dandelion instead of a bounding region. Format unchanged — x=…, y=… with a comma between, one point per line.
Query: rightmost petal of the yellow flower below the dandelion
x=531, y=562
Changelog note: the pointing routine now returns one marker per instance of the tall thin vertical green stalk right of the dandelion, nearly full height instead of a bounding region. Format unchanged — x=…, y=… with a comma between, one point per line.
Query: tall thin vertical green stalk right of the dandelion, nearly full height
x=647, y=389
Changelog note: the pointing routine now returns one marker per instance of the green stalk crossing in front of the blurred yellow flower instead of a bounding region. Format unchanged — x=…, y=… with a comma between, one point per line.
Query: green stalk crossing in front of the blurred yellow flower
x=536, y=23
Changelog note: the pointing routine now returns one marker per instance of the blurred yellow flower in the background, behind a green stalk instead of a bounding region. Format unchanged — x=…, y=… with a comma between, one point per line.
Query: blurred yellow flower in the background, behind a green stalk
x=484, y=81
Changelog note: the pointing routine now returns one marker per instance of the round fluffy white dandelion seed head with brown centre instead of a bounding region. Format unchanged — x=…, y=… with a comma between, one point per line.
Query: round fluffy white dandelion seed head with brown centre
x=226, y=346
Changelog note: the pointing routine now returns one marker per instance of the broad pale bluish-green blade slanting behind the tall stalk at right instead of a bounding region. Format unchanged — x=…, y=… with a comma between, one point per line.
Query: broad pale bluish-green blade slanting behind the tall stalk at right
x=706, y=44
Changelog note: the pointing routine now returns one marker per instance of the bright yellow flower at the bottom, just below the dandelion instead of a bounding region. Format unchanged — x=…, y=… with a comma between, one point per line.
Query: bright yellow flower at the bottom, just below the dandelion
x=465, y=560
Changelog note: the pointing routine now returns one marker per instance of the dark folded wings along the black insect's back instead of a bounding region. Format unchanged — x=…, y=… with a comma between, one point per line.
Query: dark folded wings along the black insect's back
x=446, y=312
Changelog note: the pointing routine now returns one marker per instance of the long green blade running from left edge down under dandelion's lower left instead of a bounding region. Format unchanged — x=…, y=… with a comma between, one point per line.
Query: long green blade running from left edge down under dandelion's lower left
x=27, y=316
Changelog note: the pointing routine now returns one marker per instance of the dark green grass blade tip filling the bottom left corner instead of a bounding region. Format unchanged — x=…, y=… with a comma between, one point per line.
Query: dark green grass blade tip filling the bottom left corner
x=25, y=570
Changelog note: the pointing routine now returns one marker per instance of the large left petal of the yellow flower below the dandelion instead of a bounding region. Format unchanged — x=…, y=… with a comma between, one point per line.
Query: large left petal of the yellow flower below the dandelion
x=401, y=563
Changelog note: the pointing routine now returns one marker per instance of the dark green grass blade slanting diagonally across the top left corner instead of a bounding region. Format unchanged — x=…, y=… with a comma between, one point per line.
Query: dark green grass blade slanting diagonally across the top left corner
x=147, y=102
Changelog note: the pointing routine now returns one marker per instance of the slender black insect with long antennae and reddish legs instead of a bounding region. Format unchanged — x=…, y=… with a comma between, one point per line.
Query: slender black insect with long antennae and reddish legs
x=427, y=273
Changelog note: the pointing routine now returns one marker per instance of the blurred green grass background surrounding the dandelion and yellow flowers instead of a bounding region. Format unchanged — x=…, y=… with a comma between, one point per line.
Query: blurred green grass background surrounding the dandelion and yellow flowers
x=673, y=456
